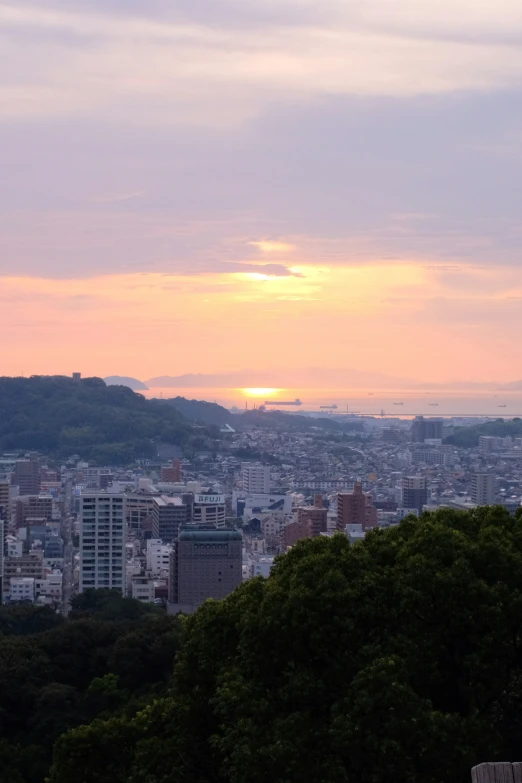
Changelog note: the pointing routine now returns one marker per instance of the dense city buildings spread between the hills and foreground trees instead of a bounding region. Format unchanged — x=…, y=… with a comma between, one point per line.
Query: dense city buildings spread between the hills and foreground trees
x=147, y=530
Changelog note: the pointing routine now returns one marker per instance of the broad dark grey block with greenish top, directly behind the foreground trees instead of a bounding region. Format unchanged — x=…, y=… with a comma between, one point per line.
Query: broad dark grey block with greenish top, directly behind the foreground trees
x=204, y=564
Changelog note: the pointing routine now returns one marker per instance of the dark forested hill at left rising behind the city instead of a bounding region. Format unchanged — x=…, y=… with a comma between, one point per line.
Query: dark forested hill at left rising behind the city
x=107, y=424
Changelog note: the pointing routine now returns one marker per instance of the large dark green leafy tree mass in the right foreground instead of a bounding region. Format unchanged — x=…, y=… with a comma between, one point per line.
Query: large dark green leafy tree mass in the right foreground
x=397, y=659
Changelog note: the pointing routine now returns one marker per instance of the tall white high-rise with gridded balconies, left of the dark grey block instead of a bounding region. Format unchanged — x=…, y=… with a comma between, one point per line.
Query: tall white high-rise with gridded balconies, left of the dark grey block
x=102, y=541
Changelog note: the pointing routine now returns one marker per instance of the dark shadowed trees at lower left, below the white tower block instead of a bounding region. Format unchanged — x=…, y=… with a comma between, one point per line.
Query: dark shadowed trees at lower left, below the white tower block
x=111, y=658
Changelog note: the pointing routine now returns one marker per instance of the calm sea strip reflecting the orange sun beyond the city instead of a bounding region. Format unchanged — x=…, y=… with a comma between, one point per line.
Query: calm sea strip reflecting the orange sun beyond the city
x=400, y=403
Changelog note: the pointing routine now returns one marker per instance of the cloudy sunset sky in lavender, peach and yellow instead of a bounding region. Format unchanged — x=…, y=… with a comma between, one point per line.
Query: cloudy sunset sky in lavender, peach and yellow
x=192, y=186
